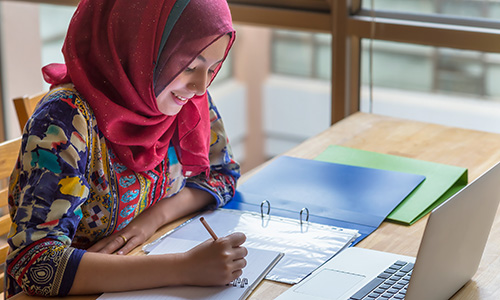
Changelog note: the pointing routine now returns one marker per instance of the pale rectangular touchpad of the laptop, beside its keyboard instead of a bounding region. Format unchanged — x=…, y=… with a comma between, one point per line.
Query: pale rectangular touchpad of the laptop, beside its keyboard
x=333, y=283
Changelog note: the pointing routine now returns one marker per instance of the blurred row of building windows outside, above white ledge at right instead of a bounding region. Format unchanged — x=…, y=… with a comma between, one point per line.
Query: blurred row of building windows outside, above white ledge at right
x=429, y=69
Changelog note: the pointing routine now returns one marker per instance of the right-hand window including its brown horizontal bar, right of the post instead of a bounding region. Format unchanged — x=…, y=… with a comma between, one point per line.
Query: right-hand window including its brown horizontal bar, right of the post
x=444, y=85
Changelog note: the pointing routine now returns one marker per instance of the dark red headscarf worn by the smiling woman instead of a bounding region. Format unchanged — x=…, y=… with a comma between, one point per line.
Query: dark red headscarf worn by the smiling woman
x=120, y=54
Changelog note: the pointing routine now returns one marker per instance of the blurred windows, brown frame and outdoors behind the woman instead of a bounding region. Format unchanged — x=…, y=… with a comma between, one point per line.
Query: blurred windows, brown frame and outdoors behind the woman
x=277, y=88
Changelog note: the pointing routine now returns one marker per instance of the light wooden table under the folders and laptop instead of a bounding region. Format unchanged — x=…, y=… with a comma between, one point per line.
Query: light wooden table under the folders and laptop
x=474, y=150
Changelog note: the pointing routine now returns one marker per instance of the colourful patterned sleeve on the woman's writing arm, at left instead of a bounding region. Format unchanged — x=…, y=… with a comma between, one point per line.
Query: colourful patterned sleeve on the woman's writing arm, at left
x=47, y=188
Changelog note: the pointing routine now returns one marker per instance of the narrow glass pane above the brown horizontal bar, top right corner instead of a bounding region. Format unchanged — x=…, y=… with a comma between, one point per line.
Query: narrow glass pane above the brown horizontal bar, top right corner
x=467, y=8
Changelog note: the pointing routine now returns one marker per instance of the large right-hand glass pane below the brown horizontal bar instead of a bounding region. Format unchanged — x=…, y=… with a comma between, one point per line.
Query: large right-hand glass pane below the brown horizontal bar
x=446, y=86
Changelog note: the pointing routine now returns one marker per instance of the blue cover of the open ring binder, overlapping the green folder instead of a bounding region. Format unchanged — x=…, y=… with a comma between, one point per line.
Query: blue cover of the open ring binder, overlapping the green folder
x=334, y=194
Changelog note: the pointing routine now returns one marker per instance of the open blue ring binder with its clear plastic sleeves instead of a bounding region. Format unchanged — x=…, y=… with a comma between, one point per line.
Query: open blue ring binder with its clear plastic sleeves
x=309, y=210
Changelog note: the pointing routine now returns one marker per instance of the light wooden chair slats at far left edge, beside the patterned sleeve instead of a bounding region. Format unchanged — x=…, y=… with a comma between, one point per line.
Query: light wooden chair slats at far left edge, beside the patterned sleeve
x=8, y=156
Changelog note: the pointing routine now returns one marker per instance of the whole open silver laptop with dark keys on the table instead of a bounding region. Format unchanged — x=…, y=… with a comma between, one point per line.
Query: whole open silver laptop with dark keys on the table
x=449, y=254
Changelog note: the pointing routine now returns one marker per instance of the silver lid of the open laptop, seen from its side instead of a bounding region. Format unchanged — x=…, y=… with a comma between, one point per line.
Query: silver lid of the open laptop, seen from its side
x=454, y=239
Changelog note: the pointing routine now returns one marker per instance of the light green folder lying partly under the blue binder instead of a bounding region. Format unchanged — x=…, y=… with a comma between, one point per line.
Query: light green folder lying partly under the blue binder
x=442, y=181
